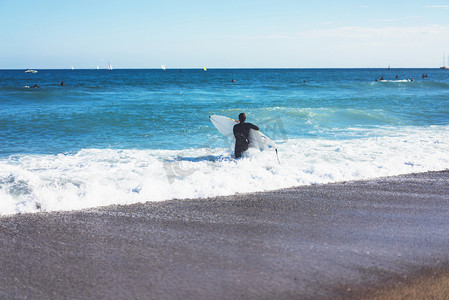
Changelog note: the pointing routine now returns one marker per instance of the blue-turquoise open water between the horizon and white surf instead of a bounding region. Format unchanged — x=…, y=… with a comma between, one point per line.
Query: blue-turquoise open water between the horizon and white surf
x=153, y=109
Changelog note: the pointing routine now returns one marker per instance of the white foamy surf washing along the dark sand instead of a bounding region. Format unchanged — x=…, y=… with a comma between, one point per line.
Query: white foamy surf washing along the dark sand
x=94, y=177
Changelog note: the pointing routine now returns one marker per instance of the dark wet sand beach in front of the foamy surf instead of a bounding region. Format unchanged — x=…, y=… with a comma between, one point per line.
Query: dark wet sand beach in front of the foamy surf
x=344, y=240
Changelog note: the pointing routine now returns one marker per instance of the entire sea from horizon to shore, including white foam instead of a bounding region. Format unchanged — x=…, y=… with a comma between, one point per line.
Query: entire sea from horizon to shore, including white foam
x=128, y=136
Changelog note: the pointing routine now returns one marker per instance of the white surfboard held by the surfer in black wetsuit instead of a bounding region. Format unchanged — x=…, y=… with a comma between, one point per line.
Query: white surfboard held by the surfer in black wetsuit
x=257, y=139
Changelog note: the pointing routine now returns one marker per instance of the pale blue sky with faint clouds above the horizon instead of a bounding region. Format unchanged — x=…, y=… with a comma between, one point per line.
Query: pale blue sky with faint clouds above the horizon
x=215, y=34
